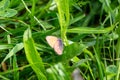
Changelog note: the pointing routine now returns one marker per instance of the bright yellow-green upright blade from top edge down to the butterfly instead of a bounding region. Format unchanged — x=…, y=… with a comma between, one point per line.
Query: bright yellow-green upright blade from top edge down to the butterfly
x=64, y=16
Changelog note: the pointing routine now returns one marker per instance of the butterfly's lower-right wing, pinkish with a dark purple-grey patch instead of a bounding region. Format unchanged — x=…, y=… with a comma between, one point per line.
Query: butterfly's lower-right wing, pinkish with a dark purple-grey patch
x=58, y=47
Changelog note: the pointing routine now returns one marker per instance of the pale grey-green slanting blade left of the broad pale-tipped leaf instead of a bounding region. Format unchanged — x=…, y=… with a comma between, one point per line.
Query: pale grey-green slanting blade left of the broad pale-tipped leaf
x=15, y=49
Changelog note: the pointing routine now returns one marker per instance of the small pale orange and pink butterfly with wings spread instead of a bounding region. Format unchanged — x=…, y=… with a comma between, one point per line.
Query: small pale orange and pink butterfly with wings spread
x=55, y=43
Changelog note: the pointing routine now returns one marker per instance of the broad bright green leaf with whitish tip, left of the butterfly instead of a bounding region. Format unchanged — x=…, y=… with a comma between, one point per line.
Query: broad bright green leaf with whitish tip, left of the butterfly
x=33, y=56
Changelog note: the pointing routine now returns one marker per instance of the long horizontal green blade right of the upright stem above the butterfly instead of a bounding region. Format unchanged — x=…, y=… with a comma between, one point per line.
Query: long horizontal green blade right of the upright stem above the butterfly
x=87, y=30
